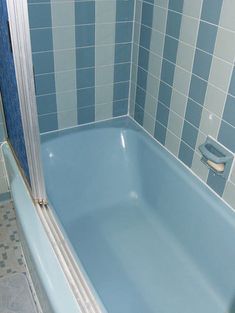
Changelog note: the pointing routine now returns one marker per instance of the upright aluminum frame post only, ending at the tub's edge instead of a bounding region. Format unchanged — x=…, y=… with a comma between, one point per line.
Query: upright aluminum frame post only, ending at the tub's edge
x=21, y=46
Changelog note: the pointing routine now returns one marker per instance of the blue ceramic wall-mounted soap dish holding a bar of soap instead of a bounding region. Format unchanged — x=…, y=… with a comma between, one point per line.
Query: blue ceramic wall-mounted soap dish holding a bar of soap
x=216, y=157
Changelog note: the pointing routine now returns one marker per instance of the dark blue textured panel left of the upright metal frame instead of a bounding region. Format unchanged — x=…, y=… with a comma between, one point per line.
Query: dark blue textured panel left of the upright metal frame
x=9, y=92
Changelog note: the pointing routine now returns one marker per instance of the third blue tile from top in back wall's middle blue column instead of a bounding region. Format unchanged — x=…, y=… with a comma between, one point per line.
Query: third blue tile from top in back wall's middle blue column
x=85, y=57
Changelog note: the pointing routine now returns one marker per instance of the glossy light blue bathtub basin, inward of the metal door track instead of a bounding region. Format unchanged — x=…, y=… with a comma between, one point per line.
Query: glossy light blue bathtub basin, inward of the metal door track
x=150, y=236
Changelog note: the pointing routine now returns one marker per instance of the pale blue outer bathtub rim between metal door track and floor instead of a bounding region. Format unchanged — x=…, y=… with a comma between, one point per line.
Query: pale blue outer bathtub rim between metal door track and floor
x=60, y=297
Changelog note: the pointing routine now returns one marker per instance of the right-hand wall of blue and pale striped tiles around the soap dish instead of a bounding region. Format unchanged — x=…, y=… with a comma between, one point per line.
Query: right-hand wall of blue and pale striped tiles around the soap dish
x=183, y=79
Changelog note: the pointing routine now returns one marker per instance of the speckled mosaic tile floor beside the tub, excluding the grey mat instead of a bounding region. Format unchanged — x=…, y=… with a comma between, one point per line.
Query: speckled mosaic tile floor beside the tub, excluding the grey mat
x=12, y=260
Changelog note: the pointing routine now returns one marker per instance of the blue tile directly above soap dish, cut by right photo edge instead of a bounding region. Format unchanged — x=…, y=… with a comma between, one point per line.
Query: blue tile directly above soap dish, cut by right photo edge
x=227, y=135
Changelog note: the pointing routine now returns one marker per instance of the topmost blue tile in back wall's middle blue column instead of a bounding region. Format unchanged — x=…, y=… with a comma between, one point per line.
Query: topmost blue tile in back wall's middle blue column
x=85, y=12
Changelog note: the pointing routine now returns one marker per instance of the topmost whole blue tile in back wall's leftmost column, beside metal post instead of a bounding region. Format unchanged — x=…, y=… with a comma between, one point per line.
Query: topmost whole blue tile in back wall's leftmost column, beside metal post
x=40, y=15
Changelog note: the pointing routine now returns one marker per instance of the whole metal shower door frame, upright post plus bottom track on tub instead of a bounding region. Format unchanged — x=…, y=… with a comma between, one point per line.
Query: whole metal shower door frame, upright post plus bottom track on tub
x=22, y=54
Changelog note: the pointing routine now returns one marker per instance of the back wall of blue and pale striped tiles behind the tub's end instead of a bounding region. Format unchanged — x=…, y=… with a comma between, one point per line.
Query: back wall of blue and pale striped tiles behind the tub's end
x=82, y=56
